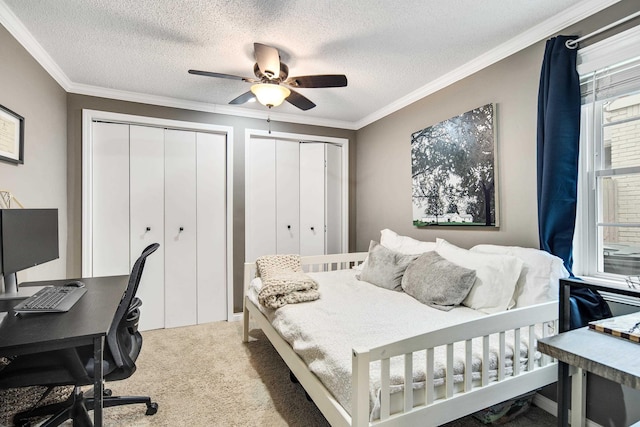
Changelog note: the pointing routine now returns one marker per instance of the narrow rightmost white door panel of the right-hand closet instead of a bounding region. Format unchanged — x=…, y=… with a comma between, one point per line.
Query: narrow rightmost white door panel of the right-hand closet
x=333, y=187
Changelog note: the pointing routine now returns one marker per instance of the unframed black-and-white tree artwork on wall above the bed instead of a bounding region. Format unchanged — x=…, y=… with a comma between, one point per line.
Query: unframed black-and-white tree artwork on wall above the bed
x=453, y=169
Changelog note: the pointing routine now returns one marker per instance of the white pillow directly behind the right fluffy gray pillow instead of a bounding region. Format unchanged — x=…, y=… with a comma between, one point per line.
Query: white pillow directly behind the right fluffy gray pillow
x=496, y=276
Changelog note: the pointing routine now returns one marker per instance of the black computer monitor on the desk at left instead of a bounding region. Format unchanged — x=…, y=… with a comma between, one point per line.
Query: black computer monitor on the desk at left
x=28, y=237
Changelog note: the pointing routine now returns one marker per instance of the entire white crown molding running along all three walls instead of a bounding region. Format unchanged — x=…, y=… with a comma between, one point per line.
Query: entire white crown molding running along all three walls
x=535, y=34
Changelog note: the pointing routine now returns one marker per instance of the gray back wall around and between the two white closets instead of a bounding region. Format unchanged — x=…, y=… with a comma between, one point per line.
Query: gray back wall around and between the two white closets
x=75, y=105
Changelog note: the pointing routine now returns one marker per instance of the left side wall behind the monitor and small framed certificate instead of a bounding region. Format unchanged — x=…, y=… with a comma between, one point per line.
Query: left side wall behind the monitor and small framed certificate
x=40, y=182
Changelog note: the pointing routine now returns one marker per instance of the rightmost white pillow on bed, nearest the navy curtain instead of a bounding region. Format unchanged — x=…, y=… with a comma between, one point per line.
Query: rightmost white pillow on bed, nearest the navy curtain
x=539, y=281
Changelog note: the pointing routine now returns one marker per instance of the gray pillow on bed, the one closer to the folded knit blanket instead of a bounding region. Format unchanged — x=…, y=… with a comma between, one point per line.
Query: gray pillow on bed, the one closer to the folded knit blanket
x=385, y=267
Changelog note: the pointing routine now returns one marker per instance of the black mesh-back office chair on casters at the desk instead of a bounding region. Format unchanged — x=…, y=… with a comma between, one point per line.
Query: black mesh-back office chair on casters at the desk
x=75, y=366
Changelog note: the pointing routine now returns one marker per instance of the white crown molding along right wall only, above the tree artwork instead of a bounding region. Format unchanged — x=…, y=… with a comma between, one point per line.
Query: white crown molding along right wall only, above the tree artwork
x=518, y=43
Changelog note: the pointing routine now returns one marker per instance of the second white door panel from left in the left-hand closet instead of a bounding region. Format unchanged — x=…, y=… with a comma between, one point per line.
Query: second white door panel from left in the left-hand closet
x=147, y=219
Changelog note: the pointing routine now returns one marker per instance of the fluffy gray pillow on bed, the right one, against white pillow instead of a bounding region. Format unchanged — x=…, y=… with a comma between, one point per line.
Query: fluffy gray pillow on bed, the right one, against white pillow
x=439, y=283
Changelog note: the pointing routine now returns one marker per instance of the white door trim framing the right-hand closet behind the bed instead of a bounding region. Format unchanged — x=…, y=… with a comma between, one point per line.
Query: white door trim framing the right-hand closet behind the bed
x=343, y=142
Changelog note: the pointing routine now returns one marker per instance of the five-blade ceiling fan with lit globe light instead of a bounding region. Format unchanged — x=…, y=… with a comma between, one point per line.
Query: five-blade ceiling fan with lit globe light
x=272, y=79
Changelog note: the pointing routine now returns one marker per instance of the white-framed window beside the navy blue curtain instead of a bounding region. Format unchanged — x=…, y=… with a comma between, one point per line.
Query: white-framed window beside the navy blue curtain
x=607, y=243
